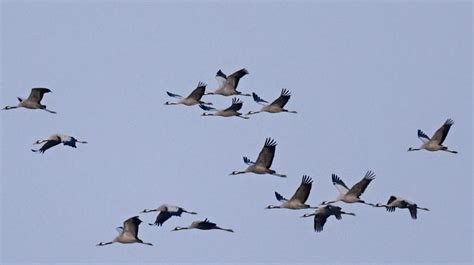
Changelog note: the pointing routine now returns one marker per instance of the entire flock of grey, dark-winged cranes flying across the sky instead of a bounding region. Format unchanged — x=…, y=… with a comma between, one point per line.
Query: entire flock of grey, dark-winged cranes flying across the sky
x=128, y=233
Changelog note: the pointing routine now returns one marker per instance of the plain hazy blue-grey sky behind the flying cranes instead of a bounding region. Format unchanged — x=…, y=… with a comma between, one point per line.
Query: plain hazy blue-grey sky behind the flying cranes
x=364, y=77
